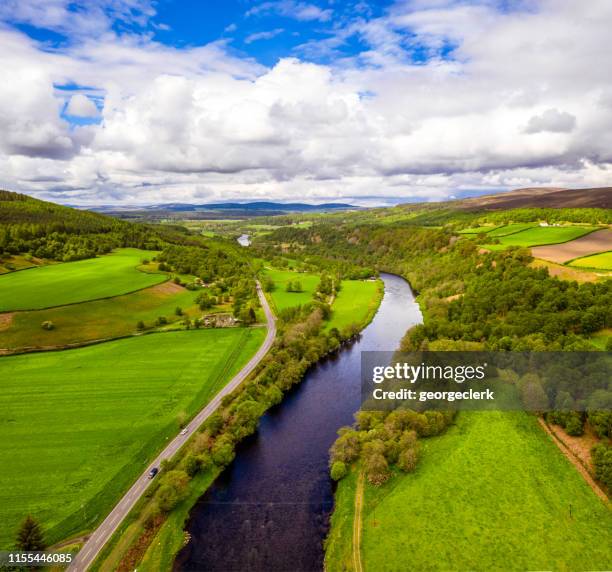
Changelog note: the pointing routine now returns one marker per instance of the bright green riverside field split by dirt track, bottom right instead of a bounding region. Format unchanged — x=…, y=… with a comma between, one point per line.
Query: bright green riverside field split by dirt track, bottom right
x=494, y=493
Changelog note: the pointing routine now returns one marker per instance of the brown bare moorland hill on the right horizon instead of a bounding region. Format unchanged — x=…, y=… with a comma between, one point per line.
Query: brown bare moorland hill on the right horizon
x=544, y=197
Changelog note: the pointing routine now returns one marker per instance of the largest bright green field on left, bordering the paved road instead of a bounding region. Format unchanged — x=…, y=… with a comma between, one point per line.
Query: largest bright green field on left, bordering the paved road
x=76, y=427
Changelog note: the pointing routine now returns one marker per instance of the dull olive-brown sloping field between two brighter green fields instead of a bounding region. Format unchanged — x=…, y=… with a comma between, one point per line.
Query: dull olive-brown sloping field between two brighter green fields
x=99, y=319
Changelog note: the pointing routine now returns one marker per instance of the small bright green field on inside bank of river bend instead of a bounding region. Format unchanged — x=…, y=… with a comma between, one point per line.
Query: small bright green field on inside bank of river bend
x=355, y=303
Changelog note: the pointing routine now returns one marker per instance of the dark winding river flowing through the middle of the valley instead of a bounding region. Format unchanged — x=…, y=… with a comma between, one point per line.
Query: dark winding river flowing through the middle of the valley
x=269, y=511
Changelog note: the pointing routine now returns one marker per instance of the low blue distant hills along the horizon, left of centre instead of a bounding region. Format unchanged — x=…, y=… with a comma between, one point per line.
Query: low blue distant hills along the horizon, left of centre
x=218, y=210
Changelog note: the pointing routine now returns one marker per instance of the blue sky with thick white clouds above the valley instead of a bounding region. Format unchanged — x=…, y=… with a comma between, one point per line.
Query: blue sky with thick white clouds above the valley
x=369, y=102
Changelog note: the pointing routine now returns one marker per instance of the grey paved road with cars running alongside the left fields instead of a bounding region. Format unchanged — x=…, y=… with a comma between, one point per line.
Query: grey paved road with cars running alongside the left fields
x=101, y=535
